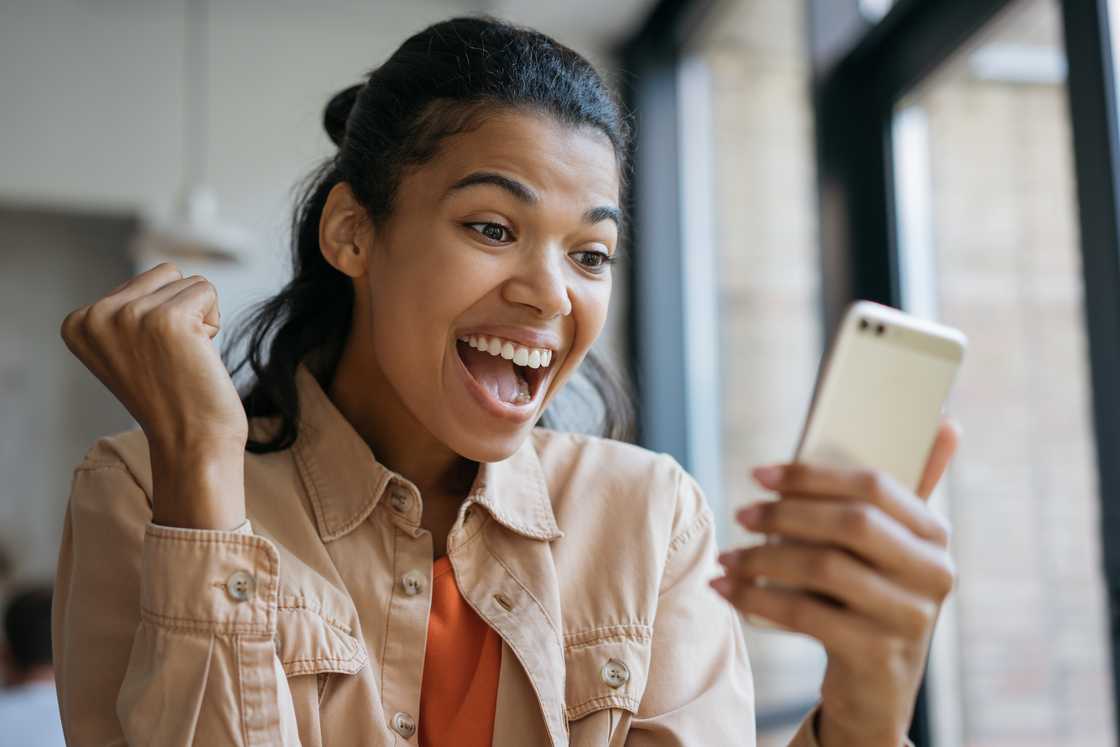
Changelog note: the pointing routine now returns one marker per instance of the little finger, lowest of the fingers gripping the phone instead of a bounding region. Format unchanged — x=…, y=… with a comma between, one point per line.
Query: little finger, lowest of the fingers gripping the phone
x=839, y=630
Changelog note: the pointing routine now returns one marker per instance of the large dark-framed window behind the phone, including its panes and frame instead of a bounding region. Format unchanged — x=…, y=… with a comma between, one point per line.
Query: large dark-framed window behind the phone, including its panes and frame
x=963, y=190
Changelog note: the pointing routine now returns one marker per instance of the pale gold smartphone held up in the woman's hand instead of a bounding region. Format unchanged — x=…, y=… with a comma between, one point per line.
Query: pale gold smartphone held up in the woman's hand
x=880, y=397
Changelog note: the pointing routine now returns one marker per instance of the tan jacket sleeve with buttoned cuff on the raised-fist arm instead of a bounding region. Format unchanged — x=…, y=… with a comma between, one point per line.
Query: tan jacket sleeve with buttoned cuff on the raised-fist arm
x=164, y=637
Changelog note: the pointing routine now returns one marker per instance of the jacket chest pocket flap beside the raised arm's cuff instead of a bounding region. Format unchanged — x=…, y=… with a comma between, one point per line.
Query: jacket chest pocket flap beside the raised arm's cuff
x=310, y=645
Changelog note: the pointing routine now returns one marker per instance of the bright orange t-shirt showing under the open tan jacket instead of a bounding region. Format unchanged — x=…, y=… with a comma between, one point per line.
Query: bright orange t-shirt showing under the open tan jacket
x=459, y=693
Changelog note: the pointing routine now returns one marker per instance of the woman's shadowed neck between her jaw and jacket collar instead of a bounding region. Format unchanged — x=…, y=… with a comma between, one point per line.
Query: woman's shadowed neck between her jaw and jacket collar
x=366, y=398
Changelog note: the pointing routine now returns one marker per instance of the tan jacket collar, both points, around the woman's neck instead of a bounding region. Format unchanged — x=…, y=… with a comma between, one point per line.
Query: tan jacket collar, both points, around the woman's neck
x=346, y=482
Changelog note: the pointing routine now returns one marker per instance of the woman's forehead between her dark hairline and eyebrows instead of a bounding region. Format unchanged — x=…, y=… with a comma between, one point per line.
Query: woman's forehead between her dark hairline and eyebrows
x=576, y=163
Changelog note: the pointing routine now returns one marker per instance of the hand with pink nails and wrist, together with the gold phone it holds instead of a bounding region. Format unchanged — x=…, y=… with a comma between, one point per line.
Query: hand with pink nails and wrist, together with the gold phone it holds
x=863, y=563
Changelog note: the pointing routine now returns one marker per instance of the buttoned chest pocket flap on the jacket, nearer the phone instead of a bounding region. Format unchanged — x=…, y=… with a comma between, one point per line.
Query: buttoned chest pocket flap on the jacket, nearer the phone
x=606, y=668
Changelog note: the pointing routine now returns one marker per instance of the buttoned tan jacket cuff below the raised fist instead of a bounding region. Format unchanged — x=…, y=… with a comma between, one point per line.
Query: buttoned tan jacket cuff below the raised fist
x=209, y=581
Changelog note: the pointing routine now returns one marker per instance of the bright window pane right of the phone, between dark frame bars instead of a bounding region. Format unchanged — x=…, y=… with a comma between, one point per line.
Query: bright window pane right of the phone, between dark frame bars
x=988, y=240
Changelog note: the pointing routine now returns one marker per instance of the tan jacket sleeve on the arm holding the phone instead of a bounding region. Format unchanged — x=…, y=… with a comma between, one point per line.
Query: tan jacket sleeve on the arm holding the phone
x=701, y=689
